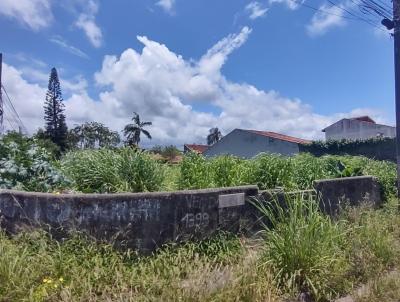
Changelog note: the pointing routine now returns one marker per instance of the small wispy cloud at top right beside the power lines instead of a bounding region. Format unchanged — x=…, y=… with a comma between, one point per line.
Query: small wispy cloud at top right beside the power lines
x=325, y=19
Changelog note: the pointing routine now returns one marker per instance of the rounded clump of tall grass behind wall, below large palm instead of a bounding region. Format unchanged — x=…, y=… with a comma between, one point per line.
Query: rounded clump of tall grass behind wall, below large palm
x=106, y=171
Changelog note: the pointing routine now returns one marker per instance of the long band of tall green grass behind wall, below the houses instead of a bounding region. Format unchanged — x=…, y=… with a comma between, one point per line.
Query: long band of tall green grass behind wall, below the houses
x=270, y=171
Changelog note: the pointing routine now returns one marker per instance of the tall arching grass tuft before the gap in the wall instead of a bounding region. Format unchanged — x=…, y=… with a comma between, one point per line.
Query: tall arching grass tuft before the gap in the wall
x=303, y=247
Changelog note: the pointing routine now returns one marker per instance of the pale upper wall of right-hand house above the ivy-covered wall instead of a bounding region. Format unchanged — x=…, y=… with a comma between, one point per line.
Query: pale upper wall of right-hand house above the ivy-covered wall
x=354, y=129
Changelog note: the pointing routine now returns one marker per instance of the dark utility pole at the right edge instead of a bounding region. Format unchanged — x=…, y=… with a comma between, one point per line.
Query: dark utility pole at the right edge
x=396, y=37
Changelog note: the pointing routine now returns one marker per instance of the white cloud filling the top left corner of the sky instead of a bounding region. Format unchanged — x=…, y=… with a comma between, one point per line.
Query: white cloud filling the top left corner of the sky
x=36, y=14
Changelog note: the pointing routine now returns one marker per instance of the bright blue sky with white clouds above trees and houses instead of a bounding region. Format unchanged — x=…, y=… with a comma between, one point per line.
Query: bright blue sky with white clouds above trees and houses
x=268, y=65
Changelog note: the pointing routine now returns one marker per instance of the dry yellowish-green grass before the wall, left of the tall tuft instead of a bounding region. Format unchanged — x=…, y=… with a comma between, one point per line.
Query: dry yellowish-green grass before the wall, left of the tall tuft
x=33, y=267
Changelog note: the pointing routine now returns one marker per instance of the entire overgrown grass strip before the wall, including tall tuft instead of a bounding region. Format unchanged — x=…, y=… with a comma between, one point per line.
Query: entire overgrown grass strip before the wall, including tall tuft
x=301, y=252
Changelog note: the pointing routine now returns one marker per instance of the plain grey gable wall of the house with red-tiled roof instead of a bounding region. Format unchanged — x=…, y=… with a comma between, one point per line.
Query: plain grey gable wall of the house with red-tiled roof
x=247, y=145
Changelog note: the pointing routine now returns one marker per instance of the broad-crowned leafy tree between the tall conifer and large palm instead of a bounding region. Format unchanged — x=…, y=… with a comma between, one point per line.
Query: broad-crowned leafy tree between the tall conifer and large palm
x=91, y=135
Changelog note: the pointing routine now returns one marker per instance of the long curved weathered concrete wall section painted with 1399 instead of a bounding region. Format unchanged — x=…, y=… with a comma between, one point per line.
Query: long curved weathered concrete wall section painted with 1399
x=143, y=221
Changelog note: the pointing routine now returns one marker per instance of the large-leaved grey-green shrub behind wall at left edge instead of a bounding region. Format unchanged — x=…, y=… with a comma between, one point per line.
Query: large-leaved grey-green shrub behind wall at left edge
x=27, y=166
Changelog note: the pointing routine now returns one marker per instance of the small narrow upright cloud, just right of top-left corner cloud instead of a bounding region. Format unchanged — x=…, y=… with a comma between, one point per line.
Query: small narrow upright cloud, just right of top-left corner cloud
x=87, y=22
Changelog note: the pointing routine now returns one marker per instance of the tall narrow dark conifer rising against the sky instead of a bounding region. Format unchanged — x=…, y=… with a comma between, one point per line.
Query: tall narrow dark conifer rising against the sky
x=56, y=127
